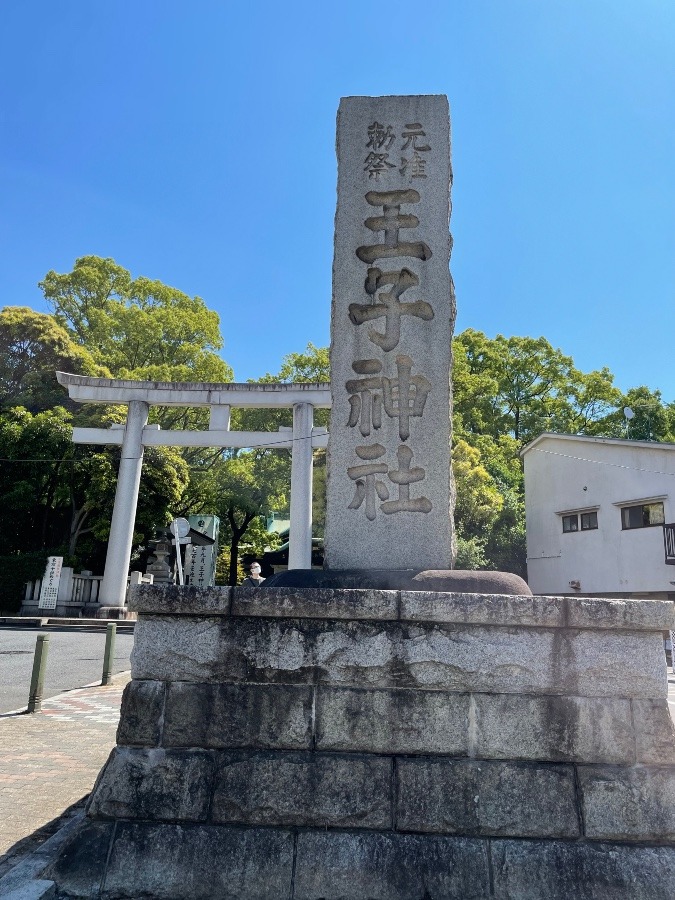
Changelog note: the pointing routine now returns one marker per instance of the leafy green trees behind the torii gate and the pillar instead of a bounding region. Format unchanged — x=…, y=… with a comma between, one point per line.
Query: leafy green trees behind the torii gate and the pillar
x=507, y=390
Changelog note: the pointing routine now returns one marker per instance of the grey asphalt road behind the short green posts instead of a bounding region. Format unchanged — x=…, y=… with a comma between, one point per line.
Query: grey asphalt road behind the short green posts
x=75, y=658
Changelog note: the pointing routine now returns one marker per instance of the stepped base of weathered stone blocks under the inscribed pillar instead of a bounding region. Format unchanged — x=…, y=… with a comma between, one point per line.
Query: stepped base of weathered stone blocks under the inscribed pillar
x=385, y=745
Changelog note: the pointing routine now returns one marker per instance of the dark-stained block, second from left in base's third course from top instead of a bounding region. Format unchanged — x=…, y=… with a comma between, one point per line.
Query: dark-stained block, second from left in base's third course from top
x=238, y=715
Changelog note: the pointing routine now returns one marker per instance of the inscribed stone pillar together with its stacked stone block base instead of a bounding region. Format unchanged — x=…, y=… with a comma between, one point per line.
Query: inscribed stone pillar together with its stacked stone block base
x=370, y=744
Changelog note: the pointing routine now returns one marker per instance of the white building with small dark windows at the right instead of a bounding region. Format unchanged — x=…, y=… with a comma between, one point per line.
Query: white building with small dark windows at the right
x=595, y=510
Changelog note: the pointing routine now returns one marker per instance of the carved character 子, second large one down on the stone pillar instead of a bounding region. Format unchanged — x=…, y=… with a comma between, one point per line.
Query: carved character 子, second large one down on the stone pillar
x=389, y=306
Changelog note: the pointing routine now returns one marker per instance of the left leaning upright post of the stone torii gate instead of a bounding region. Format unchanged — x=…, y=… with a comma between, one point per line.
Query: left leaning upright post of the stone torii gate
x=114, y=584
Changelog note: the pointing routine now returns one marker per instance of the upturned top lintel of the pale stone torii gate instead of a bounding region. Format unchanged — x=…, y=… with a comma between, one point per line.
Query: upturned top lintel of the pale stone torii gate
x=85, y=389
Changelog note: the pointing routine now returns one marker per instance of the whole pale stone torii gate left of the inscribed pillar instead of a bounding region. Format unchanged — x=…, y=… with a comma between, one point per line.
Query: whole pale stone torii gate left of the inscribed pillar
x=136, y=434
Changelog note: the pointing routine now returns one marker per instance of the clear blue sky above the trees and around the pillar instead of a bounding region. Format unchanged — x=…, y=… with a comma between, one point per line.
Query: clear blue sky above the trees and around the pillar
x=194, y=143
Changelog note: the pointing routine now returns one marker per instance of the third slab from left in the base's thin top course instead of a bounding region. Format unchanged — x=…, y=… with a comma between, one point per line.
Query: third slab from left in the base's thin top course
x=482, y=609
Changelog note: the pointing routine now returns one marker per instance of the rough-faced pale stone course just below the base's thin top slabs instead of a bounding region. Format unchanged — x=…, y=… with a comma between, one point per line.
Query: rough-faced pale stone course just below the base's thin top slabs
x=391, y=654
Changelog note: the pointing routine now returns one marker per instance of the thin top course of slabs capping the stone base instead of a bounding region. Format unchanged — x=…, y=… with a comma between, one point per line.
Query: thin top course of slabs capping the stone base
x=499, y=610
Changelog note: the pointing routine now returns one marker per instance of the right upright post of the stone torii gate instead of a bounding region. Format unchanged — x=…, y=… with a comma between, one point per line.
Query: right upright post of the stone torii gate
x=300, y=536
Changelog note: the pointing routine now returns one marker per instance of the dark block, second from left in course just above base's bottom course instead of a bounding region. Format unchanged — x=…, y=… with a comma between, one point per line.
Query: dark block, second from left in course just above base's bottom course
x=303, y=789
